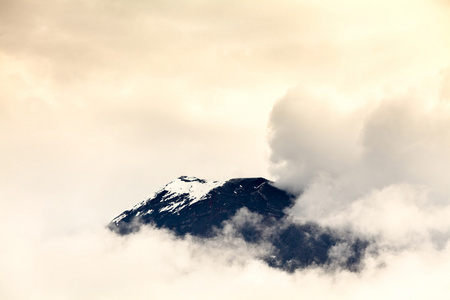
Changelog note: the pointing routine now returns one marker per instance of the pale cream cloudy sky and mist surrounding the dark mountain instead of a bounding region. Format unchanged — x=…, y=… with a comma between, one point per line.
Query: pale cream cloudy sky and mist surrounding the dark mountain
x=103, y=102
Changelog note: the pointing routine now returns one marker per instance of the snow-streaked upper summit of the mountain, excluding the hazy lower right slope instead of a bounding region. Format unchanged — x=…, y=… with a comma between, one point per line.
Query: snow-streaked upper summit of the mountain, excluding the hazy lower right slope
x=179, y=204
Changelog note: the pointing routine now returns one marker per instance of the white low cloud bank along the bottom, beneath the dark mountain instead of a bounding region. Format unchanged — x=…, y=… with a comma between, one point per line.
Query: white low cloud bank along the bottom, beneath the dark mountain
x=102, y=265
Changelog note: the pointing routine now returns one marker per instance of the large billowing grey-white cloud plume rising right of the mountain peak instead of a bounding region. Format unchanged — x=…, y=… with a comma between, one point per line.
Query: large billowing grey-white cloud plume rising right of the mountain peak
x=377, y=166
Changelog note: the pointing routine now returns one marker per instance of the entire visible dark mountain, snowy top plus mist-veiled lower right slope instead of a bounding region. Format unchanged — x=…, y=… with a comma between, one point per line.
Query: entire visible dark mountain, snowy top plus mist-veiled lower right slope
x=189, y=205
